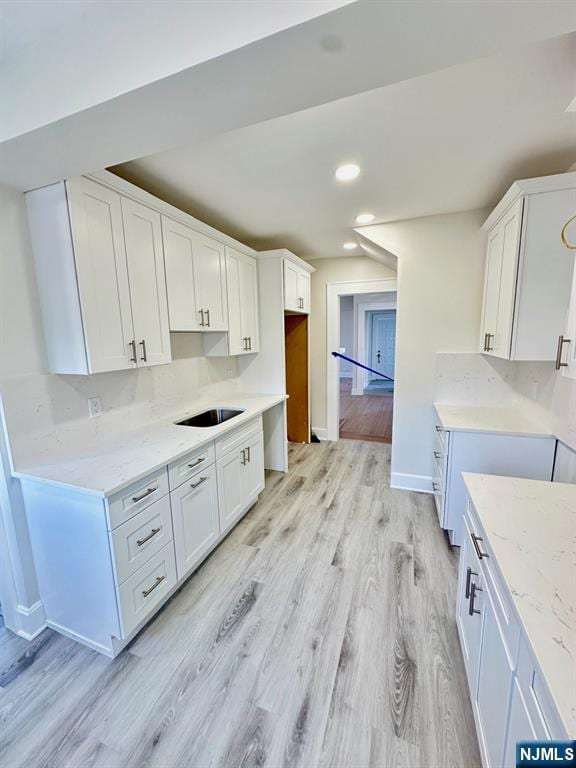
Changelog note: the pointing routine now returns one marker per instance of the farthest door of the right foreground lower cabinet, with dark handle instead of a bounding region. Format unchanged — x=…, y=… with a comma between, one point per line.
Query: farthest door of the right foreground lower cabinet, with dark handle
x=469, y=626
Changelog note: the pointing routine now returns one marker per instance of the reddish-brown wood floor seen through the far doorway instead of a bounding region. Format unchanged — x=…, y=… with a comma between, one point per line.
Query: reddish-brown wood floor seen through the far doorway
x=365, y=417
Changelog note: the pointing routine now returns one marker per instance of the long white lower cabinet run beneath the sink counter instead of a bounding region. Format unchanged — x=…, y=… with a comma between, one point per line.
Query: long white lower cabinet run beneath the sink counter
x=106, y=565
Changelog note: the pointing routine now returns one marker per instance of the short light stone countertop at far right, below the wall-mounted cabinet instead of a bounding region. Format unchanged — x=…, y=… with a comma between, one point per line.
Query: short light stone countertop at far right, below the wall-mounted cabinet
x=511, y=421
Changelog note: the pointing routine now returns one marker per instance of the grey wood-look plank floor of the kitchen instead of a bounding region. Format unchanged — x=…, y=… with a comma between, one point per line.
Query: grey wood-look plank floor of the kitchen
x=320, y=633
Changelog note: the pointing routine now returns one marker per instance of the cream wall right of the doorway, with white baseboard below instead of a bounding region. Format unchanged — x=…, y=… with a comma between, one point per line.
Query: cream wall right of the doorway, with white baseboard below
x=440, y=285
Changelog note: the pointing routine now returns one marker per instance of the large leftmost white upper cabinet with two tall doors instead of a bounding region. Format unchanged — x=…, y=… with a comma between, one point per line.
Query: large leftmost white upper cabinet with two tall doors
x=101, y=282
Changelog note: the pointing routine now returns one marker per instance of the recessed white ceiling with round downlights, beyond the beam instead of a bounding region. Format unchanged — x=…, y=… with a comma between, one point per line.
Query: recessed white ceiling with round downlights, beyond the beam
x=448, y=141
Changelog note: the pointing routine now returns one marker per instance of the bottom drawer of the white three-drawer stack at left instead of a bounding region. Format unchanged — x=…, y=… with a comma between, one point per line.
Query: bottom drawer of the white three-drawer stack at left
x=141, y=593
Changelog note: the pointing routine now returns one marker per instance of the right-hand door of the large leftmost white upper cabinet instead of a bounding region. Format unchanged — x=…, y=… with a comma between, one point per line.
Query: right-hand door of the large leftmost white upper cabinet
x=145, y=255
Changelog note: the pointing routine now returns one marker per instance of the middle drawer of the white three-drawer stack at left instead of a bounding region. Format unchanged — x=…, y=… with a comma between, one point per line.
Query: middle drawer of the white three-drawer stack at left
x=137, y=540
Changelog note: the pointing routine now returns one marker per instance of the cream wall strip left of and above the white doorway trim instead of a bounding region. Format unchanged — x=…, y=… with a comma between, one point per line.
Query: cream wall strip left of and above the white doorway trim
x=345, y=268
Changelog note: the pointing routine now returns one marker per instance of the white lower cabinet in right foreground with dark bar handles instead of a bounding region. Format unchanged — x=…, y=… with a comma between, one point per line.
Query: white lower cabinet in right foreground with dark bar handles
x=509, y=699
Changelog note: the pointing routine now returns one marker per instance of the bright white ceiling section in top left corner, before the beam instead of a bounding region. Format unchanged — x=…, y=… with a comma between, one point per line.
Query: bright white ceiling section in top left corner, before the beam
x=61, y=56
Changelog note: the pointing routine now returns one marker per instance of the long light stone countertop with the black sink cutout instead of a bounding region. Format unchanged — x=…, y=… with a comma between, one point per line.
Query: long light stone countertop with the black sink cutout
x=115, y=465
